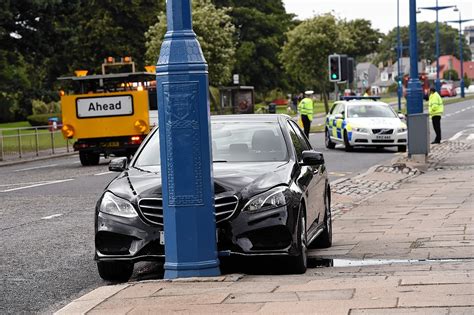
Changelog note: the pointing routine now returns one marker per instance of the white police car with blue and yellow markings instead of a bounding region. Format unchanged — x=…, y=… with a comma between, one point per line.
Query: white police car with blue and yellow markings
x=364, y=121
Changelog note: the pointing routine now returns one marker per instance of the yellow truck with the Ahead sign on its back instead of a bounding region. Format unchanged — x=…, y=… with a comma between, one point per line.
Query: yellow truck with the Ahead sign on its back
x=108, y=114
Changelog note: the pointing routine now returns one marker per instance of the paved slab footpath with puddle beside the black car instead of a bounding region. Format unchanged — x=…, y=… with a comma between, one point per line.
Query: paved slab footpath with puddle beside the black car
x=403, y=244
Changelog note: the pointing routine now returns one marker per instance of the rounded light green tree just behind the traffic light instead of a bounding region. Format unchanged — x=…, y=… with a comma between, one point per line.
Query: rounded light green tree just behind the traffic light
x=305, y=54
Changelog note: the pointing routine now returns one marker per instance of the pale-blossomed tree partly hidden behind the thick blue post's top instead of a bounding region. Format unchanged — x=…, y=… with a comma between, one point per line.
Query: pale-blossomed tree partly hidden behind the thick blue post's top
x=214, y=34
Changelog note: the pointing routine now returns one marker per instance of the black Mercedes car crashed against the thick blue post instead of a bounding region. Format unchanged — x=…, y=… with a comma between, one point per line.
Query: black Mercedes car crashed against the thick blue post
x=272, y=197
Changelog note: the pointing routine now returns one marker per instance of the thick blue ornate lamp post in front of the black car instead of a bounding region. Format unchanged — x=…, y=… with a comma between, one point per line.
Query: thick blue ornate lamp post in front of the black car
x=186, y=164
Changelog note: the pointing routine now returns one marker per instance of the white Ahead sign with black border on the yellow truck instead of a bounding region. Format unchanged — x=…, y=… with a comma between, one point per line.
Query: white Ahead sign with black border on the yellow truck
x=104, y=106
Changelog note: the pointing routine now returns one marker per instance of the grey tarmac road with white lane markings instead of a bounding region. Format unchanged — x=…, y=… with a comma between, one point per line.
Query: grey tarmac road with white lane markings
x=47, y=220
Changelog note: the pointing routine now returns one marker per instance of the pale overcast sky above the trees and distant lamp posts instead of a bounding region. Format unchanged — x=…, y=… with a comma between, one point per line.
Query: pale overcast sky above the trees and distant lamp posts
x=382, y=13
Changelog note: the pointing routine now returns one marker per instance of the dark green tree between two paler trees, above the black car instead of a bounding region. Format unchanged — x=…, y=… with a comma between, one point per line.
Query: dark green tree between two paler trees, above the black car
x=260, y=36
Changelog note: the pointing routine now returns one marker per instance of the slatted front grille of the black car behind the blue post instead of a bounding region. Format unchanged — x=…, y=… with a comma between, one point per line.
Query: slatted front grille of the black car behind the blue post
x=152, y=209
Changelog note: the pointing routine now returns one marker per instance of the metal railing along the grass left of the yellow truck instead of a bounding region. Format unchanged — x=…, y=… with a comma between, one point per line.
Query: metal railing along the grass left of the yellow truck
x=27, y=142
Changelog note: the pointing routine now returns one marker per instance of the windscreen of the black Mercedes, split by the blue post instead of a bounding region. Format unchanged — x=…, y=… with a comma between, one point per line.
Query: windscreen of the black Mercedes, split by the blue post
x=231, y=142
